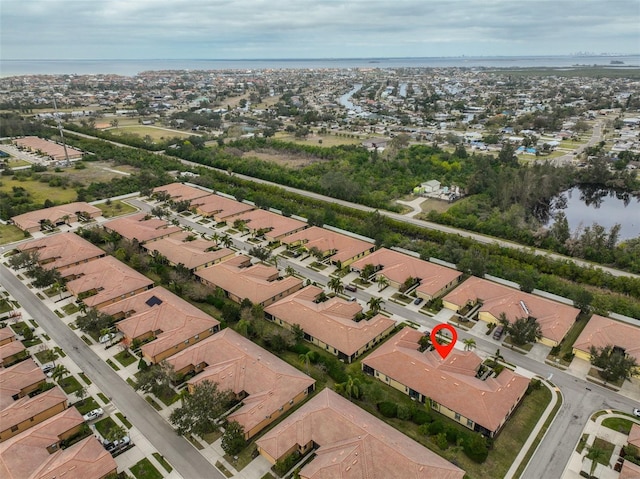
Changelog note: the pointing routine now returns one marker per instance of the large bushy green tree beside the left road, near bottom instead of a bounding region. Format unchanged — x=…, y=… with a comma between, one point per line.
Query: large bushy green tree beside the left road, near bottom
x=201, y=409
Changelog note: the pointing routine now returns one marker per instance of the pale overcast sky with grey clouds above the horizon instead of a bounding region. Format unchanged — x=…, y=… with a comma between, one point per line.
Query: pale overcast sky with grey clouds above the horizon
x=271, y=29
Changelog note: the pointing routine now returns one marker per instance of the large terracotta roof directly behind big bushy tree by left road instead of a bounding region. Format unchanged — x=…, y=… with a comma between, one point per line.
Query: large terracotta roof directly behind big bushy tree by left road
x=235, y=363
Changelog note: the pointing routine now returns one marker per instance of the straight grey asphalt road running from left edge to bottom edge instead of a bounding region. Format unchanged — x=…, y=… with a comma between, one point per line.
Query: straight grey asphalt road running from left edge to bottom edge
x=182, y=455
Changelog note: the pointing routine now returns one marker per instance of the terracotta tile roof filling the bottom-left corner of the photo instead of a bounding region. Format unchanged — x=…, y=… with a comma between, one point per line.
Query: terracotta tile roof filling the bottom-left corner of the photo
x=26, y=455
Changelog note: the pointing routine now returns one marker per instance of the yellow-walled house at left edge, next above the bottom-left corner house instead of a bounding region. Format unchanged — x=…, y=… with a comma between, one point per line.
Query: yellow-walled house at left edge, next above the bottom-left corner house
x=26, y=412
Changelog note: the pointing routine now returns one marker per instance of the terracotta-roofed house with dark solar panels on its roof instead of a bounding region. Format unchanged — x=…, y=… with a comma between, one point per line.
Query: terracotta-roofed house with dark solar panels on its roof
x=164, y=322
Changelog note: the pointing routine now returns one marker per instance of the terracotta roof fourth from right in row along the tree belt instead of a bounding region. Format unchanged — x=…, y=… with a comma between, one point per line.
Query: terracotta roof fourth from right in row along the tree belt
x=345, y=247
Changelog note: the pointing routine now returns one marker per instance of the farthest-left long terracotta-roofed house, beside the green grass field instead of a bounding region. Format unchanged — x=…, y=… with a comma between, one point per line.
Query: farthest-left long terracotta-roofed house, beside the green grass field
x=48, y=218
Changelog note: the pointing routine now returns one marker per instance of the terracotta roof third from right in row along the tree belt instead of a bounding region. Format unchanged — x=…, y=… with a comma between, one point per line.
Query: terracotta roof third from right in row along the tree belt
x=398, y=267
